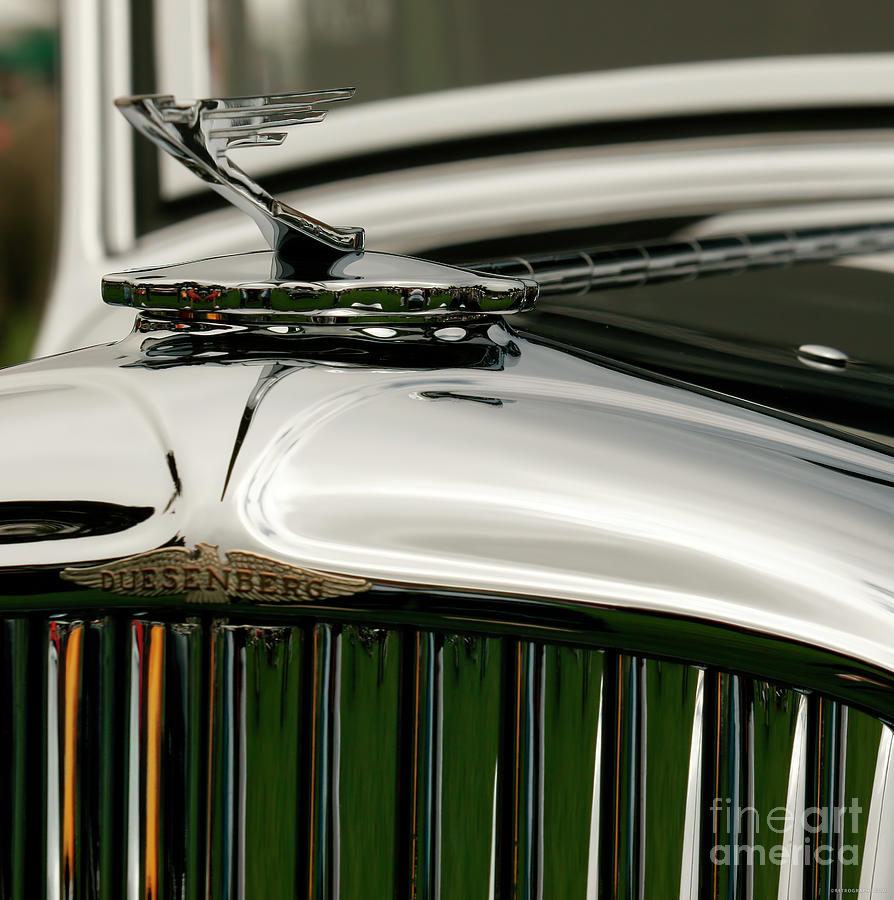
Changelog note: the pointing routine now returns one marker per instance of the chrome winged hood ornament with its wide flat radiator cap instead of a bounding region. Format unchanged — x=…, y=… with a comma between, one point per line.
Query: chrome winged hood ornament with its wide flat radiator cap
x=313, y=272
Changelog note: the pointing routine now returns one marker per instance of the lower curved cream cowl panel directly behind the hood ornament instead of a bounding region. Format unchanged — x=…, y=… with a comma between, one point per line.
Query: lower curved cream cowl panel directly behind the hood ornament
x=429, y=206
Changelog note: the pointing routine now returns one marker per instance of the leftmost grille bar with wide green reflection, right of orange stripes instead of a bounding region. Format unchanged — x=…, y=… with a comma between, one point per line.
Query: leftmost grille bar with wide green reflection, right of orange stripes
x=255, y=742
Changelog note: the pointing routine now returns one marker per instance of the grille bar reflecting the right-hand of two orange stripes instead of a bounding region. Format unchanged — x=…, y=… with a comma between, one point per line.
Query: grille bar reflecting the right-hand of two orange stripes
x=161, y=757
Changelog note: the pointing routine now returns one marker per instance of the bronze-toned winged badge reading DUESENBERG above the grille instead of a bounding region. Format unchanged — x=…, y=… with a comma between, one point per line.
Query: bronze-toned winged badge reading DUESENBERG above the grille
x=201, y=575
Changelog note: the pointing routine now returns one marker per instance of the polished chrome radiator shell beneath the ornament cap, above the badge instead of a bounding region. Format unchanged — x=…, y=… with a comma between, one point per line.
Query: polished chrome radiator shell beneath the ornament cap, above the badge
x=474, y=460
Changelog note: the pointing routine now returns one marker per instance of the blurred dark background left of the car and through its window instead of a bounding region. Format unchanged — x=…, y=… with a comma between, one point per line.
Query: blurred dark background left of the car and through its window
x=388, y=48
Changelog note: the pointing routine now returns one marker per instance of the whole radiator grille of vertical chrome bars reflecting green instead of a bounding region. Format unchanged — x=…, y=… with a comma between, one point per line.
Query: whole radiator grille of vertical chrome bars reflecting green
x=165, y=758
